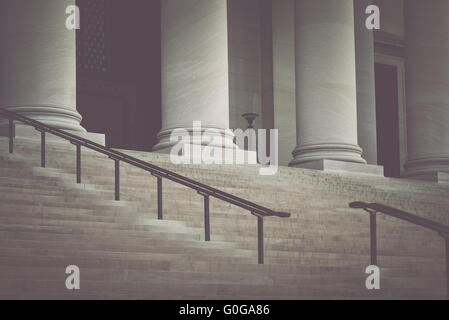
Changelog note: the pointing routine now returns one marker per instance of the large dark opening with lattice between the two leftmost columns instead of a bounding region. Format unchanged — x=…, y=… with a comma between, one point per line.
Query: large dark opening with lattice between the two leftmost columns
x=118, y=71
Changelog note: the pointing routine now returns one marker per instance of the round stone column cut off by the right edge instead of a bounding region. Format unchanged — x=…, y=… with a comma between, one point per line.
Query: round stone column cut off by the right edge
x=427, y=87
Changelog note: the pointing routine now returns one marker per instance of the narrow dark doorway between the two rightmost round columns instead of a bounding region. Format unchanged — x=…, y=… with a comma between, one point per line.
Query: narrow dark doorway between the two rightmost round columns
x=387, y=109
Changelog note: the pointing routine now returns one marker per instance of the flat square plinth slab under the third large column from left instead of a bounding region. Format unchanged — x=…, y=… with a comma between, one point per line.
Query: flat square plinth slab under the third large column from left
x=343, y=166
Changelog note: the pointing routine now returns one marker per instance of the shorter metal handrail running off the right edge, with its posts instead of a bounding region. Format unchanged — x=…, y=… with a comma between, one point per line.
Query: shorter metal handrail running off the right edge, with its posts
x=374, y=208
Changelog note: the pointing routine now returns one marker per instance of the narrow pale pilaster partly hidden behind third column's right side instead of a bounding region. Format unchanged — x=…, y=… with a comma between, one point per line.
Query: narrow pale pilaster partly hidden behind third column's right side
x=366, y=87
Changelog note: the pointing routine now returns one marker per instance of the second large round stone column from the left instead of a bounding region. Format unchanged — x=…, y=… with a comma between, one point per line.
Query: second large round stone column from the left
x=195, y=74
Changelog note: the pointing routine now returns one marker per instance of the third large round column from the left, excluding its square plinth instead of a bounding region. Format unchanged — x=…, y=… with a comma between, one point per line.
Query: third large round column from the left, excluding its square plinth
x=326, y=99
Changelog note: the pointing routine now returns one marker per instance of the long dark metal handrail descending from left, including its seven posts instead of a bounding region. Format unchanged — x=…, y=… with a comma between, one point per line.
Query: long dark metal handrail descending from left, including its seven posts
x=160, y=173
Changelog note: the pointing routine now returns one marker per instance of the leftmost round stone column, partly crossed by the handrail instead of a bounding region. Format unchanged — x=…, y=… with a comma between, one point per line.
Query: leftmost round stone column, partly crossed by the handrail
x=38, y=62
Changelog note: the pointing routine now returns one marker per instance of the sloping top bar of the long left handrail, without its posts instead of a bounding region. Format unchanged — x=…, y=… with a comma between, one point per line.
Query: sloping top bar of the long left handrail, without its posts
x=149, y=167
